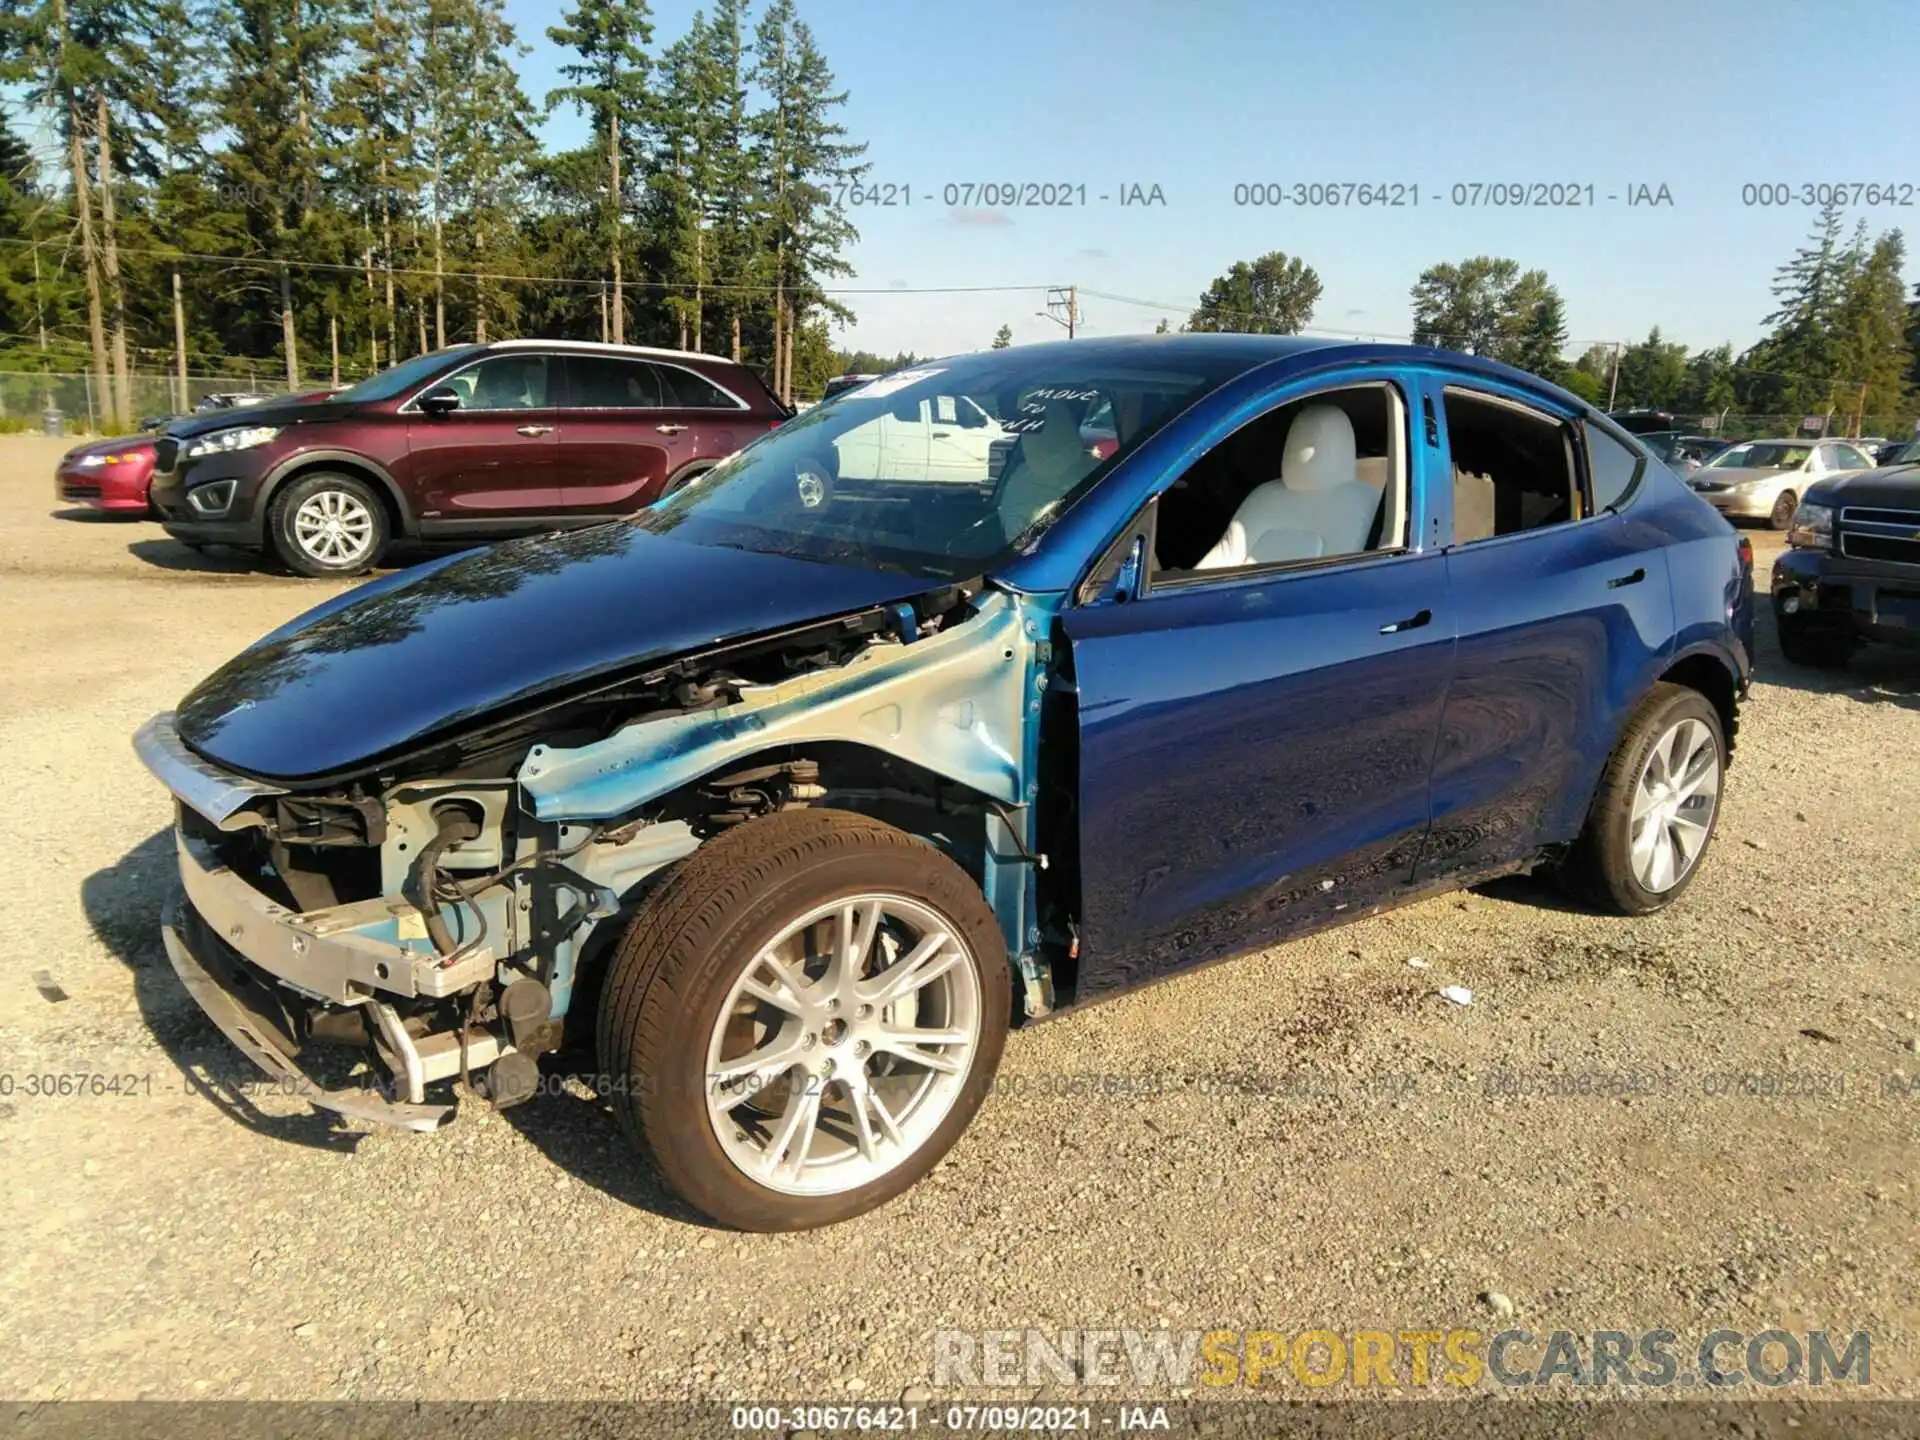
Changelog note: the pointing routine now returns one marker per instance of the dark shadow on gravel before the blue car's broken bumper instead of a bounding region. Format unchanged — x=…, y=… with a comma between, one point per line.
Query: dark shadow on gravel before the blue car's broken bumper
x=124, y=903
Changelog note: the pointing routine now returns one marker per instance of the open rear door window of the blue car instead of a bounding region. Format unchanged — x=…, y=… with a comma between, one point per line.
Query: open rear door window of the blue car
x=1512, y=468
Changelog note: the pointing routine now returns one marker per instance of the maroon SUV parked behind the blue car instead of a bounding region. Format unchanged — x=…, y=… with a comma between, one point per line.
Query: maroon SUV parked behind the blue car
x=471, y=443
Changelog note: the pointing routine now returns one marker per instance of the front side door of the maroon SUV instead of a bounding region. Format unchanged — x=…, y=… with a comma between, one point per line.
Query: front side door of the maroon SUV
x=494, y=460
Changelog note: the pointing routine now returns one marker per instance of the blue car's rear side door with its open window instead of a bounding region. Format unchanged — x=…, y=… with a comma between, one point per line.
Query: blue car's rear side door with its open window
x=1564, y=617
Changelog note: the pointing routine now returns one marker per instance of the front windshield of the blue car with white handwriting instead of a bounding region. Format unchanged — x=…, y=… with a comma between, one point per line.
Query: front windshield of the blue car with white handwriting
x=946, y=469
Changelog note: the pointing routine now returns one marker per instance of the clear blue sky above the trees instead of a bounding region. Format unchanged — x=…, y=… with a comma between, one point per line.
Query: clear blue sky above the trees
x=1702, y=97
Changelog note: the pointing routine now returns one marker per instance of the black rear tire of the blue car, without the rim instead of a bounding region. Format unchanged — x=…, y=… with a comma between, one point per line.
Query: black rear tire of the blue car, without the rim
x=1598, y=869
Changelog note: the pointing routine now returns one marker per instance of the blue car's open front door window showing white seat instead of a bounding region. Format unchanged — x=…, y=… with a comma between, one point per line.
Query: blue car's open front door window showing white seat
x=1318, y=479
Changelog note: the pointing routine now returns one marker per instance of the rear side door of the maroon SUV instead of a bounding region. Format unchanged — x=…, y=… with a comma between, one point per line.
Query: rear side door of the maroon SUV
x=625, y=435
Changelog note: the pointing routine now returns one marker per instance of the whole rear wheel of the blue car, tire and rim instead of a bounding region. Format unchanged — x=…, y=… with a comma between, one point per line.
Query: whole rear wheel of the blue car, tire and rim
x=1656, y=807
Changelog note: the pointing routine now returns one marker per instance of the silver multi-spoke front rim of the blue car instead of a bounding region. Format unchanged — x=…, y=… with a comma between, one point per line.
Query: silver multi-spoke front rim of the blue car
x=844, y=1045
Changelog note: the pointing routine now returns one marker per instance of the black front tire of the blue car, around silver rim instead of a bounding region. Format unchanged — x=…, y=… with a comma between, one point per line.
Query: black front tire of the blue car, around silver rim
x=686, y=948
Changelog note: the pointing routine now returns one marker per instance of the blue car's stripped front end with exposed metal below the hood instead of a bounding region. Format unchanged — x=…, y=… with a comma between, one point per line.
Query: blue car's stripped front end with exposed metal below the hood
x=435, y=915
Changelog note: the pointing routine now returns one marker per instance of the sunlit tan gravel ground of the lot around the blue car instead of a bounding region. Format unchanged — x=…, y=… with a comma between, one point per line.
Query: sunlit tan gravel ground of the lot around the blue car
x=1397, y=1161
